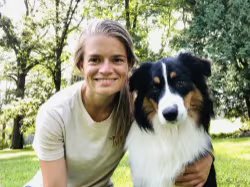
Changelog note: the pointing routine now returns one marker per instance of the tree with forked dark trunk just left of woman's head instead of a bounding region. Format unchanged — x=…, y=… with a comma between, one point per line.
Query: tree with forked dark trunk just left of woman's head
x=62, y=17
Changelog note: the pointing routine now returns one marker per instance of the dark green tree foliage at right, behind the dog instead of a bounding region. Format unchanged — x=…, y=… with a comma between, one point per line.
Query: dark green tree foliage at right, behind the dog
x=219, y=29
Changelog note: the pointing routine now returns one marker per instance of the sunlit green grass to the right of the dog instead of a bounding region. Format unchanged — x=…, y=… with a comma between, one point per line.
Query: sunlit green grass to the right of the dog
x=232, y=162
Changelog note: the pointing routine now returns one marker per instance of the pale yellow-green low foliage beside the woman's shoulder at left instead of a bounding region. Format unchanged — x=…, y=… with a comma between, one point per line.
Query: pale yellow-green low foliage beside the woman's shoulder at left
x=38, y=89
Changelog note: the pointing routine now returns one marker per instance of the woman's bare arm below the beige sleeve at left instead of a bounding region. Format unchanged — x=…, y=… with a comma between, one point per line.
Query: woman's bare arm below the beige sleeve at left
x=54, y=173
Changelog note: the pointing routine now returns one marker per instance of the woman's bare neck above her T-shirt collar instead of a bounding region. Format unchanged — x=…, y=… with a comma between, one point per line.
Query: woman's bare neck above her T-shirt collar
x=98, y=107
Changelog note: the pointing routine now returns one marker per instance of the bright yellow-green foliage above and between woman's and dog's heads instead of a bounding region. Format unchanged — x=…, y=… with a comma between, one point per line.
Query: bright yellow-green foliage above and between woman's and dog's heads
x=141, y=18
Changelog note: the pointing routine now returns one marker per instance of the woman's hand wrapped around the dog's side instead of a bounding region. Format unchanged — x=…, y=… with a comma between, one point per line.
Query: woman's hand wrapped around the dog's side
x=197, y=173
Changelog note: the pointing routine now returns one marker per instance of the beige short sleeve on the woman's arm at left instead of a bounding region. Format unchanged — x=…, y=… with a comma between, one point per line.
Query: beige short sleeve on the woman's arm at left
x=48, y=141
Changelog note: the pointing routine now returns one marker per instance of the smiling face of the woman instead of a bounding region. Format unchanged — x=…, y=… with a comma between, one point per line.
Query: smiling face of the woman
x=105, y=65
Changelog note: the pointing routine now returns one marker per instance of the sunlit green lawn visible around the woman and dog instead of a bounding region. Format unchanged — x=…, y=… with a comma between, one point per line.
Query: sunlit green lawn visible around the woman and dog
x=232, y=165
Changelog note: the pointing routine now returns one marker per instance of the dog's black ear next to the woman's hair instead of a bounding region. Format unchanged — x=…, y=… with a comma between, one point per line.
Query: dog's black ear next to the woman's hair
x=140, y=77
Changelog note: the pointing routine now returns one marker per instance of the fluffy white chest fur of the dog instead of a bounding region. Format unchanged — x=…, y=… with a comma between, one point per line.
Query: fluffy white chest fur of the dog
x=158, y=157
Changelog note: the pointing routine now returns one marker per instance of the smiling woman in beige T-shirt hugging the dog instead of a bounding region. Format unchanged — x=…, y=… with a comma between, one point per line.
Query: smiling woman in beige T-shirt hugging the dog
x=81, y=130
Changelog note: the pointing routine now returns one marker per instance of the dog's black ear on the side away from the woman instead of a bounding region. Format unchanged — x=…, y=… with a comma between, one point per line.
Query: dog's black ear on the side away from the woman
x=197, y=65
